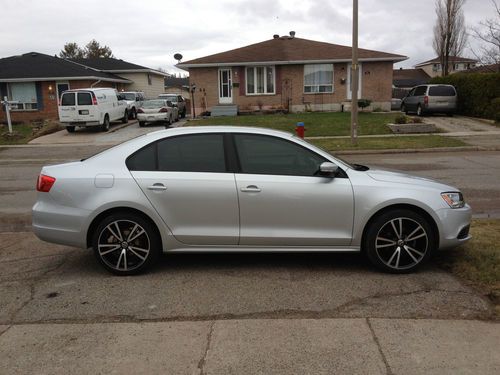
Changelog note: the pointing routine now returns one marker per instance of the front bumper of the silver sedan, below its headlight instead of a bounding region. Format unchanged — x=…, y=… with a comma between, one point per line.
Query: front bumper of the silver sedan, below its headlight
x=454, y=226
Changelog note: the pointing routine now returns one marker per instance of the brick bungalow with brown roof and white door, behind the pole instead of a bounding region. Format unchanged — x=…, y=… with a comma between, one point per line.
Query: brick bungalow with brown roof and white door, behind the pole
x=291, y=73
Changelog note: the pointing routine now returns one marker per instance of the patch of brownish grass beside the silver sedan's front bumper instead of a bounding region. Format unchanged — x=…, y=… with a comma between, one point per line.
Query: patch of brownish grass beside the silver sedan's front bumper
x=479, y=260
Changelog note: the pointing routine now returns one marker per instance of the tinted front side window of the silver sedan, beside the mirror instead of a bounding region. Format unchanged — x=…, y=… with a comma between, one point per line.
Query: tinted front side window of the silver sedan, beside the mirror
x=261, y=154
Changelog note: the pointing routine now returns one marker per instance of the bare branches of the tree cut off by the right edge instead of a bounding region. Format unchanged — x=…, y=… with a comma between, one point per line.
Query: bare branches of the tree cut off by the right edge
x=488, y=36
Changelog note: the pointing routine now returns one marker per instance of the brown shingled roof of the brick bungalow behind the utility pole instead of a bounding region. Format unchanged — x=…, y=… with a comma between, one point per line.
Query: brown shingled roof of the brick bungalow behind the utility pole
x=289, y=50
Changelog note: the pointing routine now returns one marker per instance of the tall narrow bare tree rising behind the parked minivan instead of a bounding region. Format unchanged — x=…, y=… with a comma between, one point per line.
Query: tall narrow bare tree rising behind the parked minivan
x=450, y=35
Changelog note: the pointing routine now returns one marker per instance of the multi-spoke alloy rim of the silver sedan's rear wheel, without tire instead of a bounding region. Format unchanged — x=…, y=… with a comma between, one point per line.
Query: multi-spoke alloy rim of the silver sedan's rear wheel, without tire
x=123, y=245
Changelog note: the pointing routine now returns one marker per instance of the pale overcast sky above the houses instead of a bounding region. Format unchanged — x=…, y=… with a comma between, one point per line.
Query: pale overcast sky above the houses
x=150, y=32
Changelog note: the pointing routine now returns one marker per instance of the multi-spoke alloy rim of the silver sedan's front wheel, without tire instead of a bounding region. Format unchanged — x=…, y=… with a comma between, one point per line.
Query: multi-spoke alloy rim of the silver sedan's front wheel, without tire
x=401, y=243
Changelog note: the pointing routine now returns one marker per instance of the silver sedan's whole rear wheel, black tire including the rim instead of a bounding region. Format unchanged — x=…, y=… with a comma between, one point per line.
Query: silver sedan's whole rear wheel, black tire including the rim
x=134, y=250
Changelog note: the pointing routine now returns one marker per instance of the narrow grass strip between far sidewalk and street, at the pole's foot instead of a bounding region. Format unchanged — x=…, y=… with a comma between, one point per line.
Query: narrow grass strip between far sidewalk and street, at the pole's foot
x=382, y=143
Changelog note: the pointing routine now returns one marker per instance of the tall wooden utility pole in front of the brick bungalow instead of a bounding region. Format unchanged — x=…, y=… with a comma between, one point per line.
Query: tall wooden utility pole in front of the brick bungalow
x=354, y=75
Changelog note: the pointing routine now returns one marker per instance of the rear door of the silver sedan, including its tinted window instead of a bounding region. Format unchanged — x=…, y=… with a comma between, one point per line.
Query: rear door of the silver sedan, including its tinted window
x=186, y=180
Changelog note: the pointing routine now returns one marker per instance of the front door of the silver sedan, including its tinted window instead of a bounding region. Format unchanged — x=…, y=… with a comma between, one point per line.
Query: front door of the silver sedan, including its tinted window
x=281, y=199
